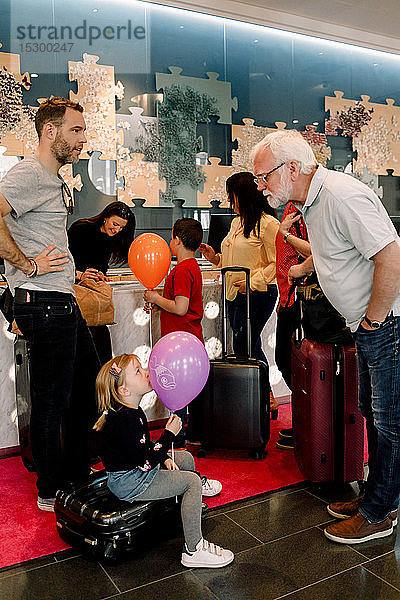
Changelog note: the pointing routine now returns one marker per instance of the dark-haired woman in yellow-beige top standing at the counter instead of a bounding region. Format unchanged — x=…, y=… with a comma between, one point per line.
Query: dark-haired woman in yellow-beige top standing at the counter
x=249, y=243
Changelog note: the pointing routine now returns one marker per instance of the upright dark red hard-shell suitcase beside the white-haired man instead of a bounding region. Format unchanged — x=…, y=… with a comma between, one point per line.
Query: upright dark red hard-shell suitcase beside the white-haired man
x=328, y=428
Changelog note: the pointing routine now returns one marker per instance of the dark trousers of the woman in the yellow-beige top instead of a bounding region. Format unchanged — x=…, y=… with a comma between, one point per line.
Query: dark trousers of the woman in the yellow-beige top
x=261, y=306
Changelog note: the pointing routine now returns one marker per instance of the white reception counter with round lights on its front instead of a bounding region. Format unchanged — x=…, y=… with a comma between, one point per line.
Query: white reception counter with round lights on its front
x=131, y=333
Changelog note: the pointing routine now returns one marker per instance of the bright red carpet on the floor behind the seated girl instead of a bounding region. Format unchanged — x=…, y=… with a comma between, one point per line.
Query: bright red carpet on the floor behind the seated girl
x=26, y=532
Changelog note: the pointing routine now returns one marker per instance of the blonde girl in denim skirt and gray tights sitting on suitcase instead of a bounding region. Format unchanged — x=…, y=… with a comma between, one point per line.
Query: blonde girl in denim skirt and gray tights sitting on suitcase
x=139, y=469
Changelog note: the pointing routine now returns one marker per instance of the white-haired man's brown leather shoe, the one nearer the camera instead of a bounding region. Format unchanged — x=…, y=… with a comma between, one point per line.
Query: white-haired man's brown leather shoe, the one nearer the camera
x=356, y=530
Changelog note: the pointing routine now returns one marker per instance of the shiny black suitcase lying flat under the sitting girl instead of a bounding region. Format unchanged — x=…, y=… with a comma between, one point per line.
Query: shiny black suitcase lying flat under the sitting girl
x=91, y=518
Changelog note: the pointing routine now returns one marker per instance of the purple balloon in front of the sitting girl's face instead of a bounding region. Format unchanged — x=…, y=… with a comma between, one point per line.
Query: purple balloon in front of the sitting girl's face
x=178, y=368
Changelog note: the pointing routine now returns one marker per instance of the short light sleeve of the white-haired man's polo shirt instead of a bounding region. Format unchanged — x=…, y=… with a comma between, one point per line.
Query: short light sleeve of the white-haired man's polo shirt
x=365, y=225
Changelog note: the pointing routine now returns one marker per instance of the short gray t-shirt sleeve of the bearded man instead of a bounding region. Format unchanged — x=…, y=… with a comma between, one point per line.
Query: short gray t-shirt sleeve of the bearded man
x=20, y=187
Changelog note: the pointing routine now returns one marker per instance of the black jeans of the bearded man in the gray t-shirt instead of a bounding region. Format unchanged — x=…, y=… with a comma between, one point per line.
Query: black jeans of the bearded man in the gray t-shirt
x=63, y=368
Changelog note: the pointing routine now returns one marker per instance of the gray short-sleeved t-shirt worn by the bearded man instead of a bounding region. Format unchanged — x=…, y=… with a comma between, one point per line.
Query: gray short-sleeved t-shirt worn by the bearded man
x=38, y=219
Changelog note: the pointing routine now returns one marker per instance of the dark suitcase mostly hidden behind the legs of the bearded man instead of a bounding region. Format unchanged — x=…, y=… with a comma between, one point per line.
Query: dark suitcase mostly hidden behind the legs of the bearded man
x=23, y=399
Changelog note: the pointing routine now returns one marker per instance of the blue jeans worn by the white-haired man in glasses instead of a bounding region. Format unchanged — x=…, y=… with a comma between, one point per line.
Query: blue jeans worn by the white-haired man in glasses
x=379, y=403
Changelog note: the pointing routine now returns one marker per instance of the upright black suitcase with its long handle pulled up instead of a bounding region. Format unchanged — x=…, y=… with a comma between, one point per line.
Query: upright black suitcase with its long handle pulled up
x=234, y=402
